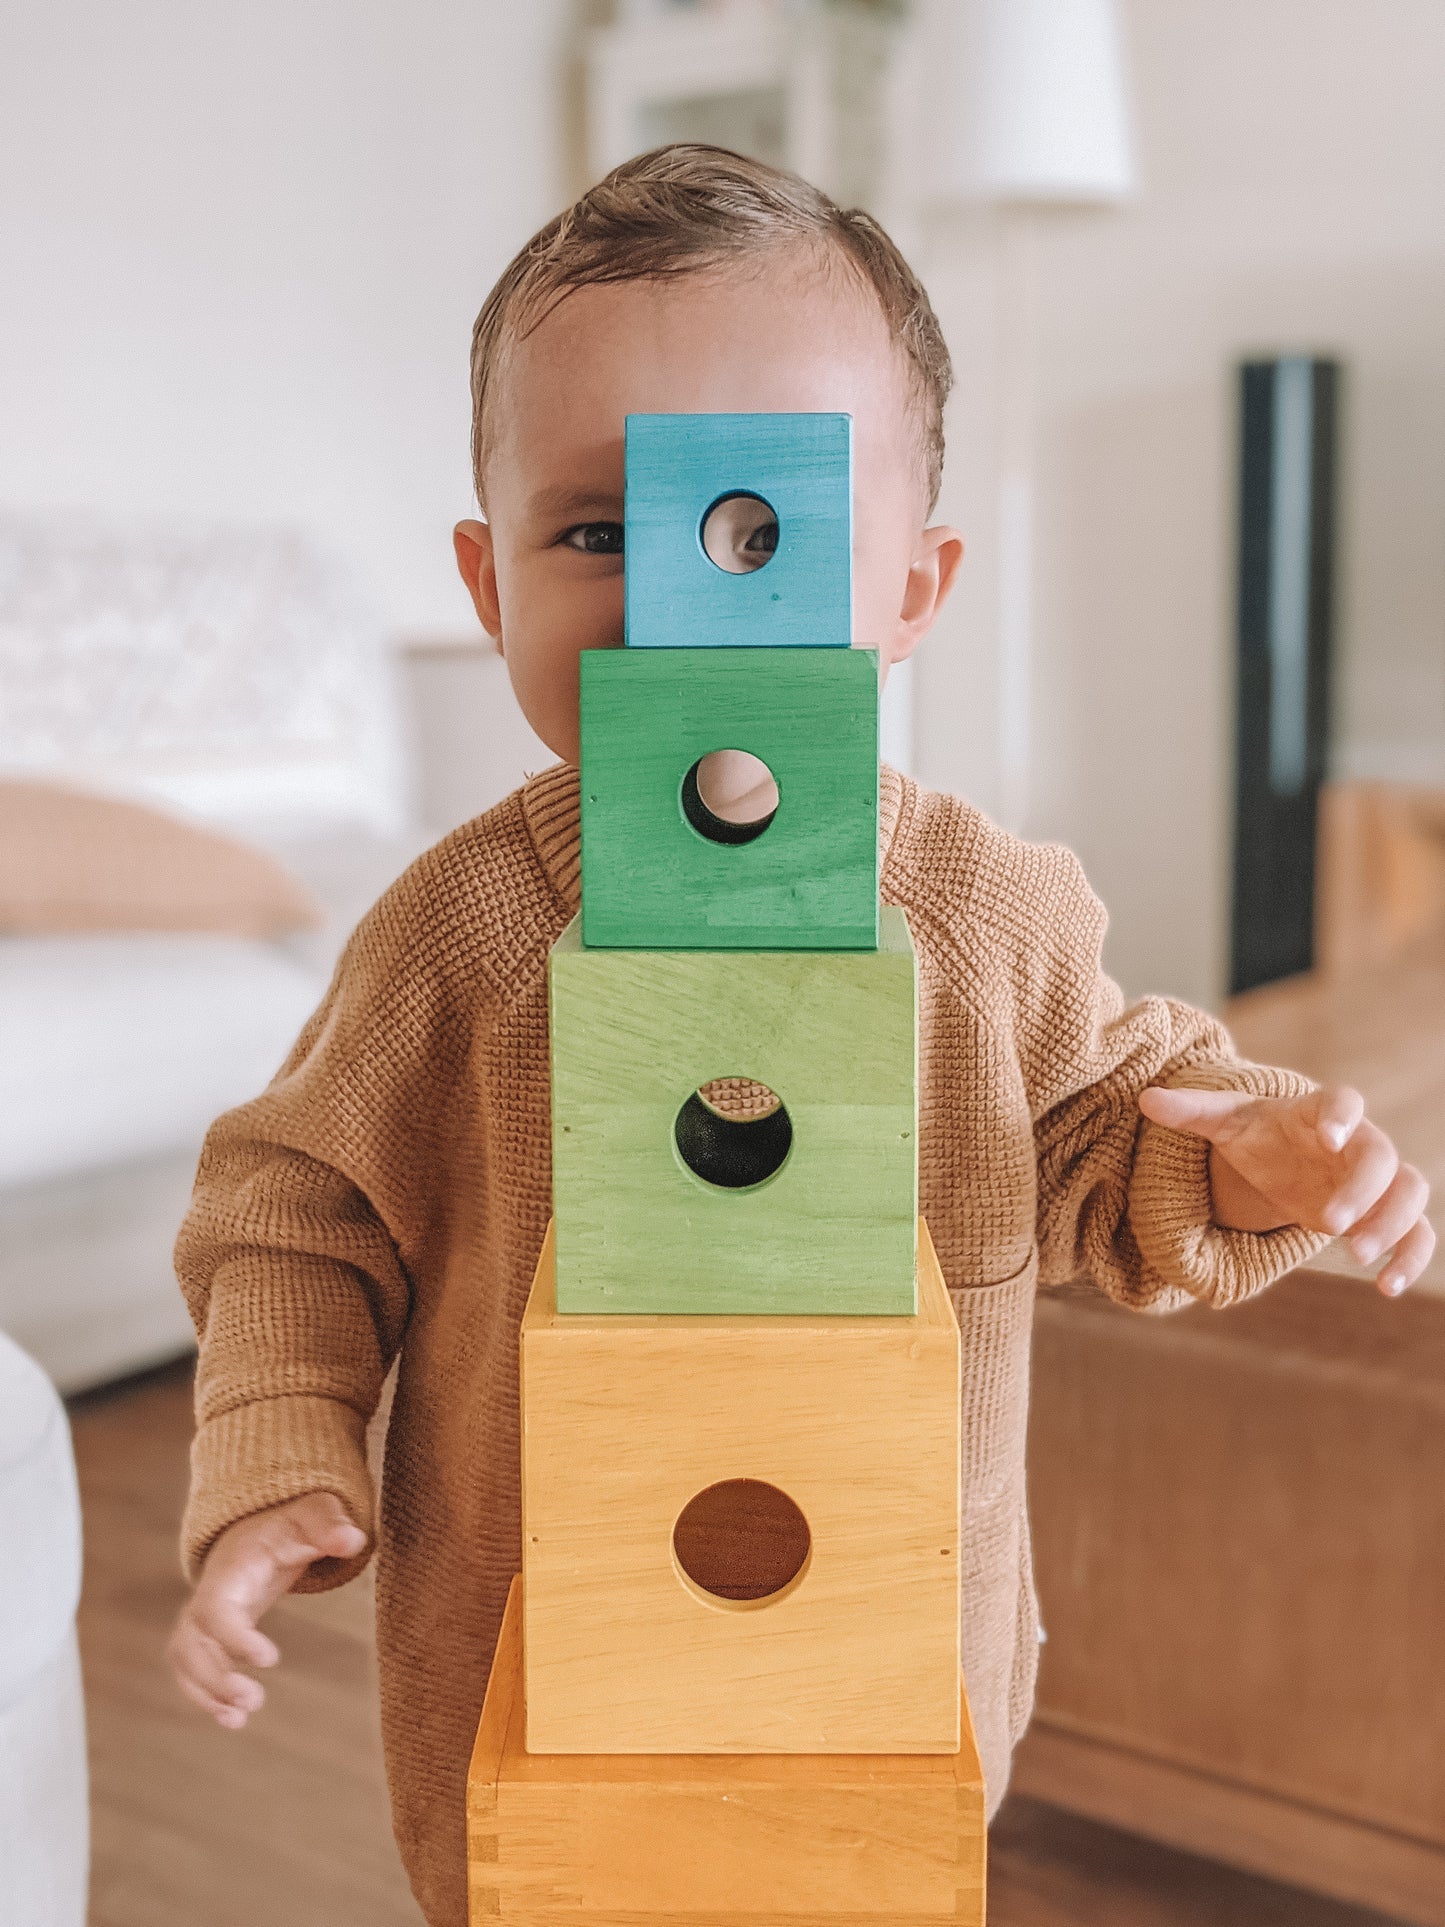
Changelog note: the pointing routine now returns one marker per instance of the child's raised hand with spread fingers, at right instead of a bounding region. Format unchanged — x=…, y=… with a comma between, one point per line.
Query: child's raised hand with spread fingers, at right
x=1313, y=1161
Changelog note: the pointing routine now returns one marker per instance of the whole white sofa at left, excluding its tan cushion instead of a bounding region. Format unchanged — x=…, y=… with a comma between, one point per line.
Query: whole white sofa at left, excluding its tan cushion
x=230, y=677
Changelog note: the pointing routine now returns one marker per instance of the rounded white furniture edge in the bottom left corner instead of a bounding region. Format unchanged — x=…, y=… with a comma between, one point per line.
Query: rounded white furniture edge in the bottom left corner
x=43, y=1776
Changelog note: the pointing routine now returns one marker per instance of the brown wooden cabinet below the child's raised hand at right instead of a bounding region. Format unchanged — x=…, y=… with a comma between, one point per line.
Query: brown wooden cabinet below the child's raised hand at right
x=1261, y=1492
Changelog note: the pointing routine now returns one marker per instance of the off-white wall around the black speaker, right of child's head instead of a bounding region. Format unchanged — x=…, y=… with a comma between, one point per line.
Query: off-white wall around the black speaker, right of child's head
x=1294, y=159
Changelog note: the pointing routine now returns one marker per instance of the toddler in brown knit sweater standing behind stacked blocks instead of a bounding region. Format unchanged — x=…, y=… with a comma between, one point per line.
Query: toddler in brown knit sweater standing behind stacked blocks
x=386, y=1198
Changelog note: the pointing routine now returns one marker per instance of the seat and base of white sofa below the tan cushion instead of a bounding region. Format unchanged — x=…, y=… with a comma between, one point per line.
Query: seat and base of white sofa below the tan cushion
x=115, y=1055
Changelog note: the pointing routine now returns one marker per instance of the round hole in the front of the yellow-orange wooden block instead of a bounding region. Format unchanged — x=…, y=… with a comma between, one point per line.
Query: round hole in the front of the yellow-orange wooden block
x=743, y=1543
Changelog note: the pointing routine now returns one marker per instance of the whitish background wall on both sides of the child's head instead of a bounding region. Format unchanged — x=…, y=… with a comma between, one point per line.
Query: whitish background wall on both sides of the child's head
x=244, y=250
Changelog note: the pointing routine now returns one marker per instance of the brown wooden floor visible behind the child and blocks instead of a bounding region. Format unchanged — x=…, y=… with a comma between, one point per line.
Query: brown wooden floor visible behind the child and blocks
x=288, y=1822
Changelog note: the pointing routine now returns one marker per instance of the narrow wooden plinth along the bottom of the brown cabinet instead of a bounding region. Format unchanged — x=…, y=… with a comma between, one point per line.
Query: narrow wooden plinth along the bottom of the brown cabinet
x=1236, y=1826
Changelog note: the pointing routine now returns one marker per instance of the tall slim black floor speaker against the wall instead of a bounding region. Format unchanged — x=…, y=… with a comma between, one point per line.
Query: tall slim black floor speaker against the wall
x=1288, y=413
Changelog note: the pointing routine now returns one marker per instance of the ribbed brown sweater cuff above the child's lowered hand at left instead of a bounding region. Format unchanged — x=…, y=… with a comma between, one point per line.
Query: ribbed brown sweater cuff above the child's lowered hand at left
x=269, y=1452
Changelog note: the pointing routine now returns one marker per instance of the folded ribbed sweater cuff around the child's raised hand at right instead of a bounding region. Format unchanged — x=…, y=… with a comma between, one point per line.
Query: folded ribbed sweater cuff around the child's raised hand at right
x=1172, y=1205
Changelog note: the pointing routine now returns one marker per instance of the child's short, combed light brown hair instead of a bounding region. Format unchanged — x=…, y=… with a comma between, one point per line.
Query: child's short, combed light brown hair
x=685, y=209
